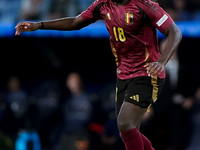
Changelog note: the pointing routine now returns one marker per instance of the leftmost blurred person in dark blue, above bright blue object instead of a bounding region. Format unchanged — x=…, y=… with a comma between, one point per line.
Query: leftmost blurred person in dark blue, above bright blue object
x=17, y=105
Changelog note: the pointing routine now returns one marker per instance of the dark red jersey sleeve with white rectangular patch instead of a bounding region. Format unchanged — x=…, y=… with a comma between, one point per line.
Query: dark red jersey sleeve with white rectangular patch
x=159, y=18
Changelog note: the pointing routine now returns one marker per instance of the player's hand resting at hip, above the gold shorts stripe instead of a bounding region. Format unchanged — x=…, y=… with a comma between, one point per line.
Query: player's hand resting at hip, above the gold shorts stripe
x=154, y=68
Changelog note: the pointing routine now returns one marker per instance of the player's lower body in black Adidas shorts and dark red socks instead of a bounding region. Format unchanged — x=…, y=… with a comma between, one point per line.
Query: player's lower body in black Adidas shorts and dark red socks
x=140, y=93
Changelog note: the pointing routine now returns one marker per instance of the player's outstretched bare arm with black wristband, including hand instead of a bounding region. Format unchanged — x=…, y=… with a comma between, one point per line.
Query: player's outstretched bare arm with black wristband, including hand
x=66, y=24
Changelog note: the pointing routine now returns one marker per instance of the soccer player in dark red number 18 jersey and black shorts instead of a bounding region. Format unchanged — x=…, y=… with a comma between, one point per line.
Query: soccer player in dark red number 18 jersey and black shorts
x=132, y=27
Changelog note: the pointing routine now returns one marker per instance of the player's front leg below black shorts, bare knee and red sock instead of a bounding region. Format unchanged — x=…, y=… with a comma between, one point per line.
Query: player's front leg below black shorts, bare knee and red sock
x=128, y=119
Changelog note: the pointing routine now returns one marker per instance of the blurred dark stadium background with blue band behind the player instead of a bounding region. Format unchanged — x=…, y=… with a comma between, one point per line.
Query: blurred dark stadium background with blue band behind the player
x=57, y=88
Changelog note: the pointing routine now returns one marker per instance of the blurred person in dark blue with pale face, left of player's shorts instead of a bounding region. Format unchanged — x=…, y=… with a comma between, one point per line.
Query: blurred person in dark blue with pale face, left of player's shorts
x=77, y=109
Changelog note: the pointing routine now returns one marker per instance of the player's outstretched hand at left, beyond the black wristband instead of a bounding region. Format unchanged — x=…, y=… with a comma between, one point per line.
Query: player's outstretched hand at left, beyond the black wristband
x=27, y=26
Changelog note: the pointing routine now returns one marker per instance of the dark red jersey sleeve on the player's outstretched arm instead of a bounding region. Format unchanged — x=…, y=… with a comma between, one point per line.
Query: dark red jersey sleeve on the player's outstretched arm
x=92, y=13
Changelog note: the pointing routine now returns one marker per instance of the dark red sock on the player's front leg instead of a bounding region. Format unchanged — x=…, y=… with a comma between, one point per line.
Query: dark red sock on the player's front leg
x=132, y=140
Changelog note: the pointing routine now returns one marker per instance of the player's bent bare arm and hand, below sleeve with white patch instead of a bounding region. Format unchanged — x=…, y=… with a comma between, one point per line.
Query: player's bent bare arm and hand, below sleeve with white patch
x=174, y=37
